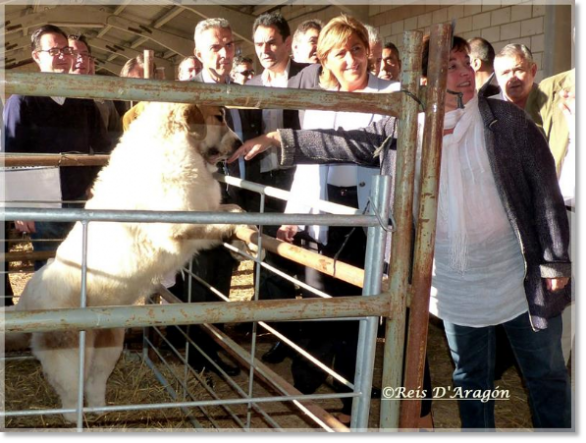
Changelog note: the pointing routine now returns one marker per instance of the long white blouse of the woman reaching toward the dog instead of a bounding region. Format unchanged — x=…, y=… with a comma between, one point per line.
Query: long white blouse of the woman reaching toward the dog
x=478, y=269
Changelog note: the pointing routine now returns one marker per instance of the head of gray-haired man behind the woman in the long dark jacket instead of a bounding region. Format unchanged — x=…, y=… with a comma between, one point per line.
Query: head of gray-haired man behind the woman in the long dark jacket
x=515, y=71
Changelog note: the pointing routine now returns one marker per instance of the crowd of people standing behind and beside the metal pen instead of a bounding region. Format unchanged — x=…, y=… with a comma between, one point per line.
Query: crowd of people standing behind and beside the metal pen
x=507, y=191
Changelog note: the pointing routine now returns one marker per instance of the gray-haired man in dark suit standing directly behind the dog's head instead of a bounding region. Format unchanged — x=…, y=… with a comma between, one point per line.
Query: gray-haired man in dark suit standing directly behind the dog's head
x=214, y=47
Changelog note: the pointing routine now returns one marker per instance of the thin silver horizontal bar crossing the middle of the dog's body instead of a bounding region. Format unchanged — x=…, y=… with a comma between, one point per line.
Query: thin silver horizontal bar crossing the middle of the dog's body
x=196, y=217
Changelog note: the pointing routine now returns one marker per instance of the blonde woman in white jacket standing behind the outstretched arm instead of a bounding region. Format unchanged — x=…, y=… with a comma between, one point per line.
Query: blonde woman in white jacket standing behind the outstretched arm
x=343, y=53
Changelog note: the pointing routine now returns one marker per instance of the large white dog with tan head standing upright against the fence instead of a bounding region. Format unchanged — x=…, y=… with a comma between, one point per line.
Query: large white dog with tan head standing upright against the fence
x=163, y=163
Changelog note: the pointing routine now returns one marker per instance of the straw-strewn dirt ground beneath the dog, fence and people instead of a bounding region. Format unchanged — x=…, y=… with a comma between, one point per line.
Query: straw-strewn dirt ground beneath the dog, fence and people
x=142, y=387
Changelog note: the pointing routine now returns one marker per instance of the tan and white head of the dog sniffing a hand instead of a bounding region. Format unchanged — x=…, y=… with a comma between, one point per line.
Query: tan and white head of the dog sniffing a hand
x=207, y=124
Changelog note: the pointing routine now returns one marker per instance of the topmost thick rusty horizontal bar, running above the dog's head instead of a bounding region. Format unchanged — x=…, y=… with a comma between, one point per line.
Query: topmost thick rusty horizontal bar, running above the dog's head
x=115, y=88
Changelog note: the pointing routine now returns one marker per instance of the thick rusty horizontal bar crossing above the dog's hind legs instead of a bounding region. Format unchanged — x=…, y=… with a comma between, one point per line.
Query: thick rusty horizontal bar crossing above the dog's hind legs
x=194, y=313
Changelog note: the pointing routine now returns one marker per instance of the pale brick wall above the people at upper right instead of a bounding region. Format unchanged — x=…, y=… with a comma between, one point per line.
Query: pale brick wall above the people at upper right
x=520, y=23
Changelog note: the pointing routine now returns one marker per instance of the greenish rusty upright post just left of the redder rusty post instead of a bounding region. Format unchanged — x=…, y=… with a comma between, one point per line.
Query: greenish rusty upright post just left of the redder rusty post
x=400, y=262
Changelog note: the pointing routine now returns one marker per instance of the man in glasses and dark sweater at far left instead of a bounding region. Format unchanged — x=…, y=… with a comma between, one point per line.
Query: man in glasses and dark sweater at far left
x=55, y=125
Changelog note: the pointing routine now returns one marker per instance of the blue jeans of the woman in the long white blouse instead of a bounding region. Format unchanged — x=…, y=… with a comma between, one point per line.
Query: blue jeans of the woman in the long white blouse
x=539, y=355
